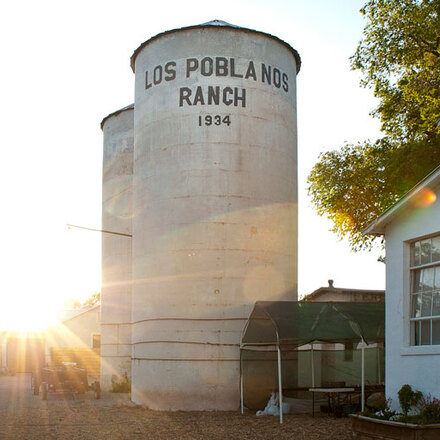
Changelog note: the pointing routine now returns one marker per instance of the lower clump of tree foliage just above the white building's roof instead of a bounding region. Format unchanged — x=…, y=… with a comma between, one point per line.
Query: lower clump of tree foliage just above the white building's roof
x=354, y=185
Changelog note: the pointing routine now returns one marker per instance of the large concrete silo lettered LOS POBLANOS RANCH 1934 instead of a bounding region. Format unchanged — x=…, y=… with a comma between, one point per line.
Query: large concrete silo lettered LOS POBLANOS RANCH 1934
x=215, y=166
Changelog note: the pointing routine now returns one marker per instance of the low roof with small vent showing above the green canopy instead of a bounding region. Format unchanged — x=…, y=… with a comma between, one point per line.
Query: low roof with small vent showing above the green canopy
x=331, y=293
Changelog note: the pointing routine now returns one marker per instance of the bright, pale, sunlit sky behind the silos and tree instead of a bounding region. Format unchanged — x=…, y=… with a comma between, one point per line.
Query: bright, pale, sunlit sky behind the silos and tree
x=66, y=65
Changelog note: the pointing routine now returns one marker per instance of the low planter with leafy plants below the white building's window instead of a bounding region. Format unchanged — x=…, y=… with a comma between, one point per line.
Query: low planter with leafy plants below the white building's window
x=419, y=419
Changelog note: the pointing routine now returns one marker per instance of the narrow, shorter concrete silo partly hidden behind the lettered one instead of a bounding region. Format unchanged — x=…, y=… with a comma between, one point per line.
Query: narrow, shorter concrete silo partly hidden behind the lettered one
x=117, y=213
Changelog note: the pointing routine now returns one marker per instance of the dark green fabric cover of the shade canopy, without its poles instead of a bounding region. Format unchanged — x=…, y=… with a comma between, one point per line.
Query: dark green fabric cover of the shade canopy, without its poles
x=292, y=324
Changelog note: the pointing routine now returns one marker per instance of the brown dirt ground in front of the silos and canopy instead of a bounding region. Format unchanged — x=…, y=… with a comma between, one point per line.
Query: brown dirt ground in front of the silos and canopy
x=25, y=416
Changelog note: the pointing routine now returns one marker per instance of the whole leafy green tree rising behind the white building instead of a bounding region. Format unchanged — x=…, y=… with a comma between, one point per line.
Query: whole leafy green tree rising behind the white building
x=400, y=59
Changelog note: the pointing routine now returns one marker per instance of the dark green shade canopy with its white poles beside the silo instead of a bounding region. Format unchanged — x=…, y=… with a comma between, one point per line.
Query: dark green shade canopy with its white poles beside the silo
x=281, y=327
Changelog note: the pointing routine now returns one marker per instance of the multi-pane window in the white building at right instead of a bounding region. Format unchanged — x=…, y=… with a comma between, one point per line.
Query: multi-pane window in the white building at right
x=425, y=291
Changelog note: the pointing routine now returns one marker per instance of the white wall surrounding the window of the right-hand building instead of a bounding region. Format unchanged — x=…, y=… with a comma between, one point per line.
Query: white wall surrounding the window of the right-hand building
x=405, y=364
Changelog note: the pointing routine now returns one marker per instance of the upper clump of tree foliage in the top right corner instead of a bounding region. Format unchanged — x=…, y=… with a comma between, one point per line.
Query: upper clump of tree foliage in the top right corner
x=399, y=57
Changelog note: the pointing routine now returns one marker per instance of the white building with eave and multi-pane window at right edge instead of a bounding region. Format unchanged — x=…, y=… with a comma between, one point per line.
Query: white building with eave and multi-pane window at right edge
x=412, y=232
